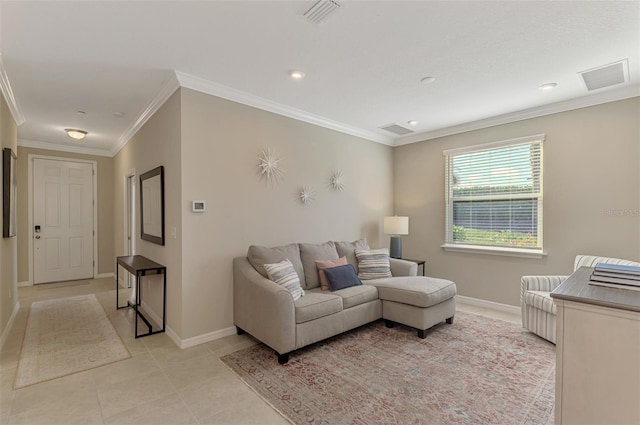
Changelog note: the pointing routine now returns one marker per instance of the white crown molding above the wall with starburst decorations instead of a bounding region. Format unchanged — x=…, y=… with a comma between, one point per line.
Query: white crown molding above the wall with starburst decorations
x=225, y=92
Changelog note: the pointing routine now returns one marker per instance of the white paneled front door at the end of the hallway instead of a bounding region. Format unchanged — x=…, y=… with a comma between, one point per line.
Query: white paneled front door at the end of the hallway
x=63, y=220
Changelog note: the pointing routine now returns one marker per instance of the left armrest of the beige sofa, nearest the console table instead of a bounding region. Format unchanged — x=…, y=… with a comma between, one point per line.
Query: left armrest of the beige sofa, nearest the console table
x=263, y=308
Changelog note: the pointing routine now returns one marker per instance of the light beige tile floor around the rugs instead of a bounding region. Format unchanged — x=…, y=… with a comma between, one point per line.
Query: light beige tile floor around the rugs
x=159, y=384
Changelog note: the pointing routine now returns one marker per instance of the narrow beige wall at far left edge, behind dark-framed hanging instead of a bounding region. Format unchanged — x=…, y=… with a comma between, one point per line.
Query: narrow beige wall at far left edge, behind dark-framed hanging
x=8, y=246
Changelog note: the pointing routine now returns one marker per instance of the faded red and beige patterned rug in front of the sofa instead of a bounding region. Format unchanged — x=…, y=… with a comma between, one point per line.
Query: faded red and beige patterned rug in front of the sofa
x=476, y=371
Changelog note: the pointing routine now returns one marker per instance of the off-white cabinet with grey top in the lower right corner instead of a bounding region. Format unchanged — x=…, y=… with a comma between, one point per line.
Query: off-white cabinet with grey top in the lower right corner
x=597, y=353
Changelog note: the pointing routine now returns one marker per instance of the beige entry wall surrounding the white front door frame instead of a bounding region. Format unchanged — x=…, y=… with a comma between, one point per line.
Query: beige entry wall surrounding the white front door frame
x=104, y=172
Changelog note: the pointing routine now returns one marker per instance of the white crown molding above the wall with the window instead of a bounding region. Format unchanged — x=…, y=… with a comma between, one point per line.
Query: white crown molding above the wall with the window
x=613, y=95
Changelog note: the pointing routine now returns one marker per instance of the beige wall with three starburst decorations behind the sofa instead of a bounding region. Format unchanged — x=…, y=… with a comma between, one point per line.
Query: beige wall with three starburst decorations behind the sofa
x=221, y=141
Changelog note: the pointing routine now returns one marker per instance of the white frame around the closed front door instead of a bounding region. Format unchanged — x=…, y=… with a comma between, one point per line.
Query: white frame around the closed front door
x=94, y=167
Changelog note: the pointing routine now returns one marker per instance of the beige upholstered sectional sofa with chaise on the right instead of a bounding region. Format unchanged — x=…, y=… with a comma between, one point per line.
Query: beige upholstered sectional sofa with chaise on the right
x=268, y=312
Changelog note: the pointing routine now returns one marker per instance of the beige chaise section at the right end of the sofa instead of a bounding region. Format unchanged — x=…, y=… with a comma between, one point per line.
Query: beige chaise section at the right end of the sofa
x=416, y=301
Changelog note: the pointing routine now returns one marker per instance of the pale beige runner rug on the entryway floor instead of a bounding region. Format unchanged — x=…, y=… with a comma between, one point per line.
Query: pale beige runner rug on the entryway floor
x=65, y=336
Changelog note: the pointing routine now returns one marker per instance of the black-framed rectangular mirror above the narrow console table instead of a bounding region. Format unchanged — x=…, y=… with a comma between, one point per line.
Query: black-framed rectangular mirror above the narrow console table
x=152, y=205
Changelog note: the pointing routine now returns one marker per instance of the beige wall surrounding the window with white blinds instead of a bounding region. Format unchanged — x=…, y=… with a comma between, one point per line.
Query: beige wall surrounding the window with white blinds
x=591, y=197
